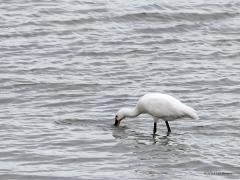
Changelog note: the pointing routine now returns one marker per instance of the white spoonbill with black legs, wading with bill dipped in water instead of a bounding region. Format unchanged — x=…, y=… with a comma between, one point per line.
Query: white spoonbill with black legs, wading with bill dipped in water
x=160, y=106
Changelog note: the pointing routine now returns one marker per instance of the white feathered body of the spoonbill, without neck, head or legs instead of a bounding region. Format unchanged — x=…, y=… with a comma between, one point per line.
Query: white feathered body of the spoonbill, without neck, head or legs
x=164, y=106
